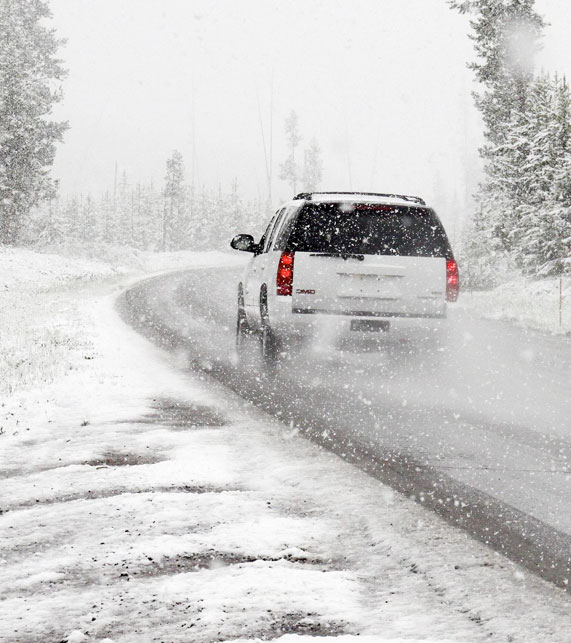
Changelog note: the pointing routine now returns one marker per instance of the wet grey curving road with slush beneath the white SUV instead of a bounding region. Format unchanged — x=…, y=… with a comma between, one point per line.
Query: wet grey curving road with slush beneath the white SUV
x=477, y=430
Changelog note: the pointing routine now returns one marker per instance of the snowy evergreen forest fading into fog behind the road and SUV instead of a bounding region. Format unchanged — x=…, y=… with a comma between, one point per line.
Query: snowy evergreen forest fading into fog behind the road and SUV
x=519, y=219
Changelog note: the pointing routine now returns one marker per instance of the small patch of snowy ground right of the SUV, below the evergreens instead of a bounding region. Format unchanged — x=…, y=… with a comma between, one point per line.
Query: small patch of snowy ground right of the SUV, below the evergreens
x=543, y=305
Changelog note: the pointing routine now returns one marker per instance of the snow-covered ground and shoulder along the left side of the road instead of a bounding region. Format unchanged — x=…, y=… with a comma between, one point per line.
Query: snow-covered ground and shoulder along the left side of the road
x=140, y=502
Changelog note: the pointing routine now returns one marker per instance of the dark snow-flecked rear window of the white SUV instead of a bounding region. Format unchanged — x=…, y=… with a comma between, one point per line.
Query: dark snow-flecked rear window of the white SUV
x=368, y=228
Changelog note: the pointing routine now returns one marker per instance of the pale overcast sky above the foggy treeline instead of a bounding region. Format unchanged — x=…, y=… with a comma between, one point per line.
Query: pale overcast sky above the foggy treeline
x=381, y=84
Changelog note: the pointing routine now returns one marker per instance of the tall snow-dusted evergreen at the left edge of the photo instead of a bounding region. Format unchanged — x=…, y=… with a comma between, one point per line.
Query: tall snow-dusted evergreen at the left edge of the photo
x=30, y=76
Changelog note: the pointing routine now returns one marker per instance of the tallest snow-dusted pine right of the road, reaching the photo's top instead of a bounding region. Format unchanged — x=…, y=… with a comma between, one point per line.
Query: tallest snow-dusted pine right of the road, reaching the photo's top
x=506, y=35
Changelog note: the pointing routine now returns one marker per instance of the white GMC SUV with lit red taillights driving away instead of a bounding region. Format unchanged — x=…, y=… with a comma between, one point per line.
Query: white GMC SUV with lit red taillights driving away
x=350, y=264
